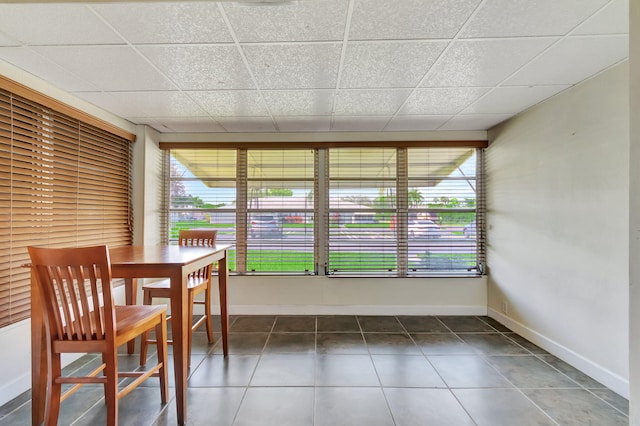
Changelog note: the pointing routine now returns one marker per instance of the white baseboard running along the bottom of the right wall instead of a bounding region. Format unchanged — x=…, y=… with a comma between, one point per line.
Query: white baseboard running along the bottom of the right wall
x=611, y=380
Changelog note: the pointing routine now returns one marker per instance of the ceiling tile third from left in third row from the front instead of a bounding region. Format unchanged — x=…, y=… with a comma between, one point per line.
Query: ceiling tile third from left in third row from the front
x=231, y=103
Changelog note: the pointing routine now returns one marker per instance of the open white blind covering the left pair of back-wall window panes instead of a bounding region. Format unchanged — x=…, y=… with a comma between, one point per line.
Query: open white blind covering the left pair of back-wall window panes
x=261, y=200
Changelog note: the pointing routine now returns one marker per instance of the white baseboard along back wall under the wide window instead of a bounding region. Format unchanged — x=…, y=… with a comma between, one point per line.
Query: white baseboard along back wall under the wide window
x=355, y=310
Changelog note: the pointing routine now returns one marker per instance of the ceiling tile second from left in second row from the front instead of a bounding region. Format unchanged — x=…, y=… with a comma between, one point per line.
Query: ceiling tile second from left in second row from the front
x=107, y=67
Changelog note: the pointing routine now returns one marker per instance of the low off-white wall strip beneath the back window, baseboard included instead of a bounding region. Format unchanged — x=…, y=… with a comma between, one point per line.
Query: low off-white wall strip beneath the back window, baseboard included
x=373, y=296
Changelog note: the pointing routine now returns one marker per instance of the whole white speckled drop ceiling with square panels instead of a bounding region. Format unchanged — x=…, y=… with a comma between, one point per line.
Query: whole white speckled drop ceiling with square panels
x=315, y=65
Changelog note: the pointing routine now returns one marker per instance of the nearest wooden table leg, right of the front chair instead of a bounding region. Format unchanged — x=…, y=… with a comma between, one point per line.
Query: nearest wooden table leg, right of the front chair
x=180, y=328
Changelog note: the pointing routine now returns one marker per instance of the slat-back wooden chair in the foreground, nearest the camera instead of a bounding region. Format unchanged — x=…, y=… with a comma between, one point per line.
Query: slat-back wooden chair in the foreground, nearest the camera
x=75, y=285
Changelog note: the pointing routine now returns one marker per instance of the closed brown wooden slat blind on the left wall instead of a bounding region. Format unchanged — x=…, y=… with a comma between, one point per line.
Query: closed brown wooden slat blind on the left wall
x=63, y=183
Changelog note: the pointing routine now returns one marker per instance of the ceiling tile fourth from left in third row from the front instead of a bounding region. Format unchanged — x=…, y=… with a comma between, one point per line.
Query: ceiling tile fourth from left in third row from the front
x=299, y=102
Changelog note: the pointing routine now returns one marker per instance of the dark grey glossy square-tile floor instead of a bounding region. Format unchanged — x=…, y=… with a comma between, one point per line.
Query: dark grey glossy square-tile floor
x=359, y=370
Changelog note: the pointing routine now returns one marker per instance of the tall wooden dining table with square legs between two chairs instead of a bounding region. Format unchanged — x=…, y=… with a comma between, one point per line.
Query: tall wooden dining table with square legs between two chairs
x=133, y=262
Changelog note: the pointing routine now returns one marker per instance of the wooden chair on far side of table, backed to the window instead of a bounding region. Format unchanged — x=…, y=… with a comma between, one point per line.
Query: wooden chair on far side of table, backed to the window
x=198, y=282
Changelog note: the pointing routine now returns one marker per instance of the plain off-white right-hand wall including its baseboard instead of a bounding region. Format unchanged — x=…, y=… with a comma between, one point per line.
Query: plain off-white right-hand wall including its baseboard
x=558, y=215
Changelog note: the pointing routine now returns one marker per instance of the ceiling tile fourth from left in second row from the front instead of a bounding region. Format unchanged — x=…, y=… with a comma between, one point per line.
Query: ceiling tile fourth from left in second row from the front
x=294, y=66
